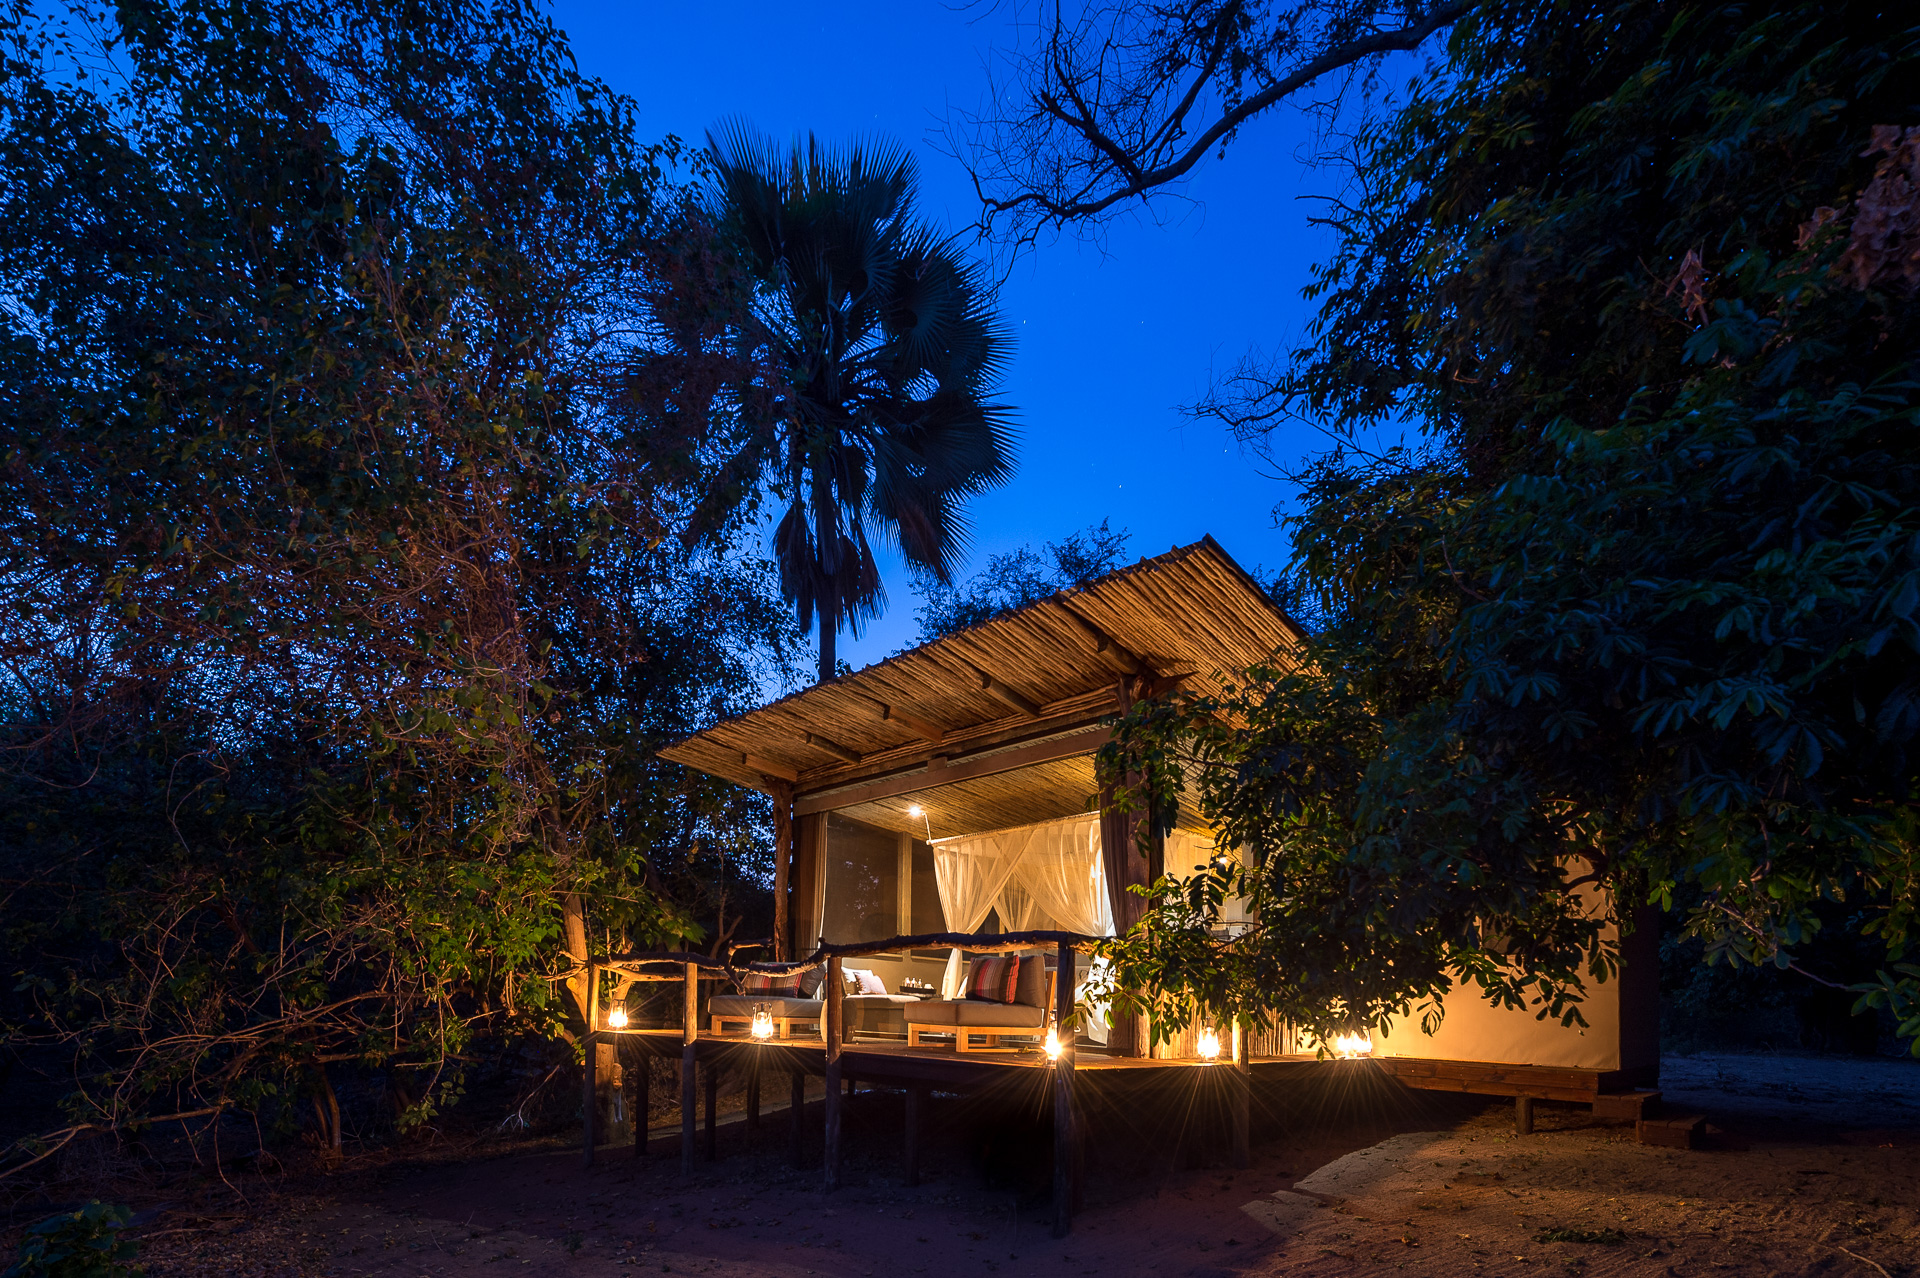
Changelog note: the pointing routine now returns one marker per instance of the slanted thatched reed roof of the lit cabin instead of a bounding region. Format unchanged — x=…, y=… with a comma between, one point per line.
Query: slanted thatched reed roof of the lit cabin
x=1044, y=673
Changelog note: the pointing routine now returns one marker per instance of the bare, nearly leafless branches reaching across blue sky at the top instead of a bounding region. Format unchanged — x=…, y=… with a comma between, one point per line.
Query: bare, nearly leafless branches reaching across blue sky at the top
x=1120, y=101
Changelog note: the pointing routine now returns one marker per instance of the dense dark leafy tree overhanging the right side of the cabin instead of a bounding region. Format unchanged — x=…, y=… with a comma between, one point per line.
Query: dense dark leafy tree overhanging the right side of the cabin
x=1648, y=598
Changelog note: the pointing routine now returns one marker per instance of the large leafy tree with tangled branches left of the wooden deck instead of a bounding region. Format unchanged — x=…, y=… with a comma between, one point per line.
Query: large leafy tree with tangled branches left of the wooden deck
x=343, y=603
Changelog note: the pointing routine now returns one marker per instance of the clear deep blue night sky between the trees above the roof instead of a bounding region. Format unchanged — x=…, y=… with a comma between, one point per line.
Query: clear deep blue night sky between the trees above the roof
x=1111, y=339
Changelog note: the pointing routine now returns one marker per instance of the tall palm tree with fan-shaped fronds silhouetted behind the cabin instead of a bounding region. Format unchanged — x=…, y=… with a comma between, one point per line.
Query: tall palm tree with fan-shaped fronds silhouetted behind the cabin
x=886, y=352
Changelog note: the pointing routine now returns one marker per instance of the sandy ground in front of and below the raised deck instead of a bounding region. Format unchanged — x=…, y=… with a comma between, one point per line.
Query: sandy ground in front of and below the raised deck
x=1815, y=1170
